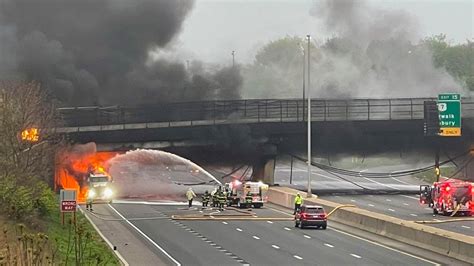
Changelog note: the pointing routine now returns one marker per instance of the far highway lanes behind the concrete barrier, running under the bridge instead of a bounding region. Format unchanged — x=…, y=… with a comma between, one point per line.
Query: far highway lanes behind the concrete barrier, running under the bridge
x=335, y=189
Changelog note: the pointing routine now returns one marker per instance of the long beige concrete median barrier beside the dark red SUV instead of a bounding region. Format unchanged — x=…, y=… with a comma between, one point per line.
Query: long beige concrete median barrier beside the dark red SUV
x=444, y=242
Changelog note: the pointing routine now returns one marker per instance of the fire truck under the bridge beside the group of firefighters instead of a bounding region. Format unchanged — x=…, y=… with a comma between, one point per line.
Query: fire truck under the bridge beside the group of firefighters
x=240, y=193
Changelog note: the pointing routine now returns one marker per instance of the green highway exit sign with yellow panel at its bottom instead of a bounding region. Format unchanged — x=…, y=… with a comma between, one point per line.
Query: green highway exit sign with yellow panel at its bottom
x=449, y=107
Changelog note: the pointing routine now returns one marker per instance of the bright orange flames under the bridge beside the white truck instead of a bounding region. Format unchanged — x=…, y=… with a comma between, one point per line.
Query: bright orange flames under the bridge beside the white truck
x=72, y=170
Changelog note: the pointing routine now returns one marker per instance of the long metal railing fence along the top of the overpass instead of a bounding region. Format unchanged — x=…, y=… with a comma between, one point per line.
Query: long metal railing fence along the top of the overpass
x=275, y=110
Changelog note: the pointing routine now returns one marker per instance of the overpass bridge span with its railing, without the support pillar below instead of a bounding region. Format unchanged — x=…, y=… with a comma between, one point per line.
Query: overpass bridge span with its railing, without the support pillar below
x=265, y=118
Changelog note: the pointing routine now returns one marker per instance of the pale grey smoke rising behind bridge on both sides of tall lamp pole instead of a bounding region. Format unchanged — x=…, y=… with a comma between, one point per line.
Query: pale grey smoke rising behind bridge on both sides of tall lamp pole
x=372, y=53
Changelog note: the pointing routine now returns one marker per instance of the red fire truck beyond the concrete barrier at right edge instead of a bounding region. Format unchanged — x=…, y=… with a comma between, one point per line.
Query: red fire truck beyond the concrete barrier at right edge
x=446, y=197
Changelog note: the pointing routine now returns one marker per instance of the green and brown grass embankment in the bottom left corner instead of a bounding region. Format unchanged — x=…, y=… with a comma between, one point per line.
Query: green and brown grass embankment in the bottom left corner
x=52, y=243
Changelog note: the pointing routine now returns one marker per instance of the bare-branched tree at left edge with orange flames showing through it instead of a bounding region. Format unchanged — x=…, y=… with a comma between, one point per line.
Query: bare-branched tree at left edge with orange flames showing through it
x=27, y=147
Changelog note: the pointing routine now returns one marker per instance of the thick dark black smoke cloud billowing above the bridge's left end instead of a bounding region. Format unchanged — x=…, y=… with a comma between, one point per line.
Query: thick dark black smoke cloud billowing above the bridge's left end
x=98, y=51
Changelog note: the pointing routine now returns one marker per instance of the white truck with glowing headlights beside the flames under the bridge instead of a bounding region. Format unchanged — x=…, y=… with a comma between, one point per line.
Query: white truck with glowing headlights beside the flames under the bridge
x=100, y=188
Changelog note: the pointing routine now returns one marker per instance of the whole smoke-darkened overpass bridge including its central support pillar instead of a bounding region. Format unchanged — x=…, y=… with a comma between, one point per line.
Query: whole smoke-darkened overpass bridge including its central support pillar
x=254, y=129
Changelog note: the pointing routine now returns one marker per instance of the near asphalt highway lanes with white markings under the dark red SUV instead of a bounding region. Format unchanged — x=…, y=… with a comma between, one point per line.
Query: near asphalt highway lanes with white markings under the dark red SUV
x=267, y=242
